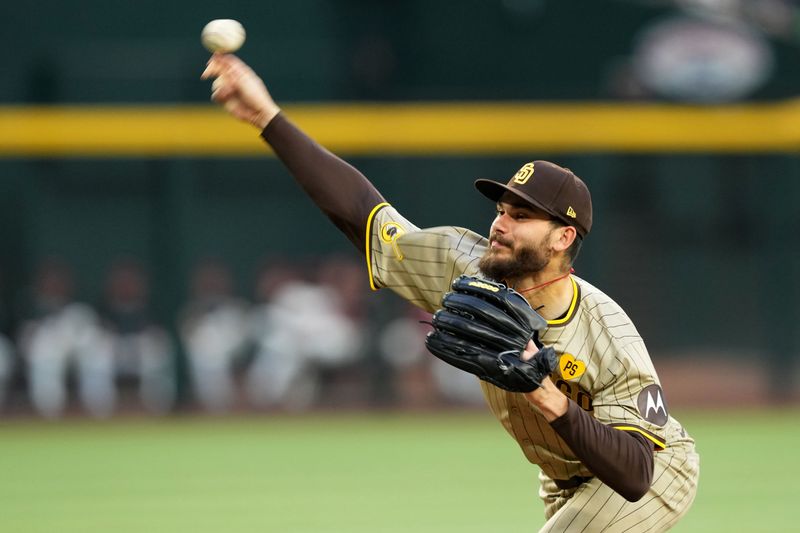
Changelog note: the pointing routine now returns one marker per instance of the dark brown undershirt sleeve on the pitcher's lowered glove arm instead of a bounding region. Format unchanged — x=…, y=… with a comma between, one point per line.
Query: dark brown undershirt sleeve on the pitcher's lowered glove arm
x=620, y=459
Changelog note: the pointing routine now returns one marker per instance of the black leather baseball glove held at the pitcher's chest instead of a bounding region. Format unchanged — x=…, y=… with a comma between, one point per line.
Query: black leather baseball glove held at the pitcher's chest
x=483, y=328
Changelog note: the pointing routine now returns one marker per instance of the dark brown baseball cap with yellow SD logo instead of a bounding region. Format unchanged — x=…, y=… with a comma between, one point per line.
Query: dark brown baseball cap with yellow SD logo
x=554, y=189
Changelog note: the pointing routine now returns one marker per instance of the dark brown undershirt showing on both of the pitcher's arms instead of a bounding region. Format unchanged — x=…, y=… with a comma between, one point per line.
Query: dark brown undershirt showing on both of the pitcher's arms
x=623, y=460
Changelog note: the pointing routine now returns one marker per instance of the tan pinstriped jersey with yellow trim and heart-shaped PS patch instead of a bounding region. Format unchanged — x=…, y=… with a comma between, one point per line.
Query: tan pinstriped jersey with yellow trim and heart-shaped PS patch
x=603, y=363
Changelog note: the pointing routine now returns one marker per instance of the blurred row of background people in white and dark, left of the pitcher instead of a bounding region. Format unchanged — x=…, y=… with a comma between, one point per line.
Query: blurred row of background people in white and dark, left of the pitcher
x=308, y=336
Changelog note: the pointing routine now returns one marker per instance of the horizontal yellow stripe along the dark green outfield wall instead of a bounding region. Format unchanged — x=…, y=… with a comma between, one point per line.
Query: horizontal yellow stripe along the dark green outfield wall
x=413, y=129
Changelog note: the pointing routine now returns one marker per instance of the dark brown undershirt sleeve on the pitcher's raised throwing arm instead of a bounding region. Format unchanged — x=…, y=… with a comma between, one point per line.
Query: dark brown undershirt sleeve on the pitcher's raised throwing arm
x=338, y=189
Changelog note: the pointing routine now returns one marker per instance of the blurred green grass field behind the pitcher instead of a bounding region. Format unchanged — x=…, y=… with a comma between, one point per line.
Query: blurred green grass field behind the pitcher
x=440, y=472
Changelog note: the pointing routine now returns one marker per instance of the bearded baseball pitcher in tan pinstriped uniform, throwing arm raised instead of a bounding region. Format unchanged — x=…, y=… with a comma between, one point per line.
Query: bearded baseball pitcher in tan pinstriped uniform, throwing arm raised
x=561, y=365
